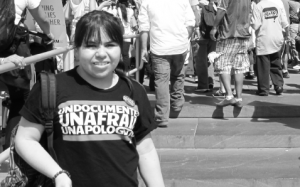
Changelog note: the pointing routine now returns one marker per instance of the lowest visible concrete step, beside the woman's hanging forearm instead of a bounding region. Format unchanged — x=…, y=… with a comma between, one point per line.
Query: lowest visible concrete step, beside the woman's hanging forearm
x=231, y=167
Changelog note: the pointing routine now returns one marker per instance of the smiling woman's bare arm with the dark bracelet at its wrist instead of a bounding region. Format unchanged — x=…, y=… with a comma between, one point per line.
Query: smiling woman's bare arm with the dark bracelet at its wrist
x=28, y=147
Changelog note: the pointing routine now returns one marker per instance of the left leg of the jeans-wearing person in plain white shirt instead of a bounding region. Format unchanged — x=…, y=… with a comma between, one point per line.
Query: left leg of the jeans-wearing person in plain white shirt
x=161, y=69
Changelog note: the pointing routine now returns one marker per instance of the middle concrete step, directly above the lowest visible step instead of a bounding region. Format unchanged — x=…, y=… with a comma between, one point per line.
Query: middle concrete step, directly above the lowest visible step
x=197, y=133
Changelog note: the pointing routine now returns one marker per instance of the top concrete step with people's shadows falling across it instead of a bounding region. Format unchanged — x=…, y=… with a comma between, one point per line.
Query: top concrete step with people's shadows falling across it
x=273, y=106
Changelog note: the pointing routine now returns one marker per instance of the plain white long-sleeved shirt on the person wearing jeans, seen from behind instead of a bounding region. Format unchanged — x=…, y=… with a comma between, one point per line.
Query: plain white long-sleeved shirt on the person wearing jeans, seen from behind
x=166, y=20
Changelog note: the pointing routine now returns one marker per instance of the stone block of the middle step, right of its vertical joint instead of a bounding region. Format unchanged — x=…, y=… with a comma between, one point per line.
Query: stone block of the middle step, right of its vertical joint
x=248, y=133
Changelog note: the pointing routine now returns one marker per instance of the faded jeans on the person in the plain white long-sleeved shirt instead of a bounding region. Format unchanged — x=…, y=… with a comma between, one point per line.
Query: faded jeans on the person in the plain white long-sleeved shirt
x=168, y=68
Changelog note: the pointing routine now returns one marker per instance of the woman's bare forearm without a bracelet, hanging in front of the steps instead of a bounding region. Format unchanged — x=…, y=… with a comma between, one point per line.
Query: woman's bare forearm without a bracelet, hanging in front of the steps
x=149, y=165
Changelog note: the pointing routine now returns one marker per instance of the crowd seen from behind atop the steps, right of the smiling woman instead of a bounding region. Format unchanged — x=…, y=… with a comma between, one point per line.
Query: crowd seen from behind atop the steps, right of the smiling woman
x=227, y=40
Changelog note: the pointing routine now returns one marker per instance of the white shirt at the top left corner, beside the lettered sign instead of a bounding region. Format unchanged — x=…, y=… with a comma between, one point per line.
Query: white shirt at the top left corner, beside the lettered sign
x=21, y=5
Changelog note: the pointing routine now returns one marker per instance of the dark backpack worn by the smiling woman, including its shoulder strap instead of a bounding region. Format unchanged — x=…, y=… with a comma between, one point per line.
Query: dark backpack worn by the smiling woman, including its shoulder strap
x=20, y=173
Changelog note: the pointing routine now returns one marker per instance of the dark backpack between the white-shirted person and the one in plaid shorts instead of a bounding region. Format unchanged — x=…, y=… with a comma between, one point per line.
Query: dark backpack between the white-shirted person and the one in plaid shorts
x=208, y=15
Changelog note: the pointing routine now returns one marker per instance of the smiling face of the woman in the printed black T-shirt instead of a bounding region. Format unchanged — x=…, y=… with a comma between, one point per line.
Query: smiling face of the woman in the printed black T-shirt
x=98, y=61
